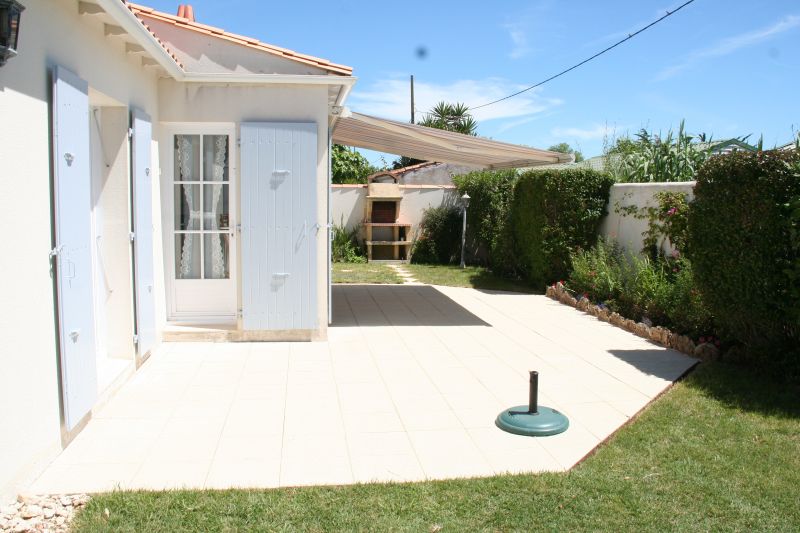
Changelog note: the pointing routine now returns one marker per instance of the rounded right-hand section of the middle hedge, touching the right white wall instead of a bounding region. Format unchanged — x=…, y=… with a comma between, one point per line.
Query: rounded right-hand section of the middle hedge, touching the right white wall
x=553, y=213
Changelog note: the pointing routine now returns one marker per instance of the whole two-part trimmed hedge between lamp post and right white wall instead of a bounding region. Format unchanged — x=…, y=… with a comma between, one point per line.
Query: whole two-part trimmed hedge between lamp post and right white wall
x=527, y=225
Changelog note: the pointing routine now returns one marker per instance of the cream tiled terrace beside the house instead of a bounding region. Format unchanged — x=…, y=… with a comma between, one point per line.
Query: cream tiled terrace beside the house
x=406, y=388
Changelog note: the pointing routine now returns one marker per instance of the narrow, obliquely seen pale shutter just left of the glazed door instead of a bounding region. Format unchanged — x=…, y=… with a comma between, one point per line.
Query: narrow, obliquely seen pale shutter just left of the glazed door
x=142, y=176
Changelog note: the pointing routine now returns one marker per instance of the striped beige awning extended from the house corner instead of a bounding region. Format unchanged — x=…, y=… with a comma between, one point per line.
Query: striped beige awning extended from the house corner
x=430, y=144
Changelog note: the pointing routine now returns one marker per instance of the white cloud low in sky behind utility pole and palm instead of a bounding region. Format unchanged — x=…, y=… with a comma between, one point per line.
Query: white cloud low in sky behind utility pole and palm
x=389, y=98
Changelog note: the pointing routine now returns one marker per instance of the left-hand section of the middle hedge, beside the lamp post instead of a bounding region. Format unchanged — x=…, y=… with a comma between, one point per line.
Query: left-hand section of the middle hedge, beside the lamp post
x=487, y=216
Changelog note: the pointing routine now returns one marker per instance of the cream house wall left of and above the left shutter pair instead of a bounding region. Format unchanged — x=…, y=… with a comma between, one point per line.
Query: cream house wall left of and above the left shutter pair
x=52, y=33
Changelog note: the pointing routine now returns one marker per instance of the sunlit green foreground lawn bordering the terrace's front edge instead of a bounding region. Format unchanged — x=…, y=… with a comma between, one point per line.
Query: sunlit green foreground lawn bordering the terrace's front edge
x=720, y=451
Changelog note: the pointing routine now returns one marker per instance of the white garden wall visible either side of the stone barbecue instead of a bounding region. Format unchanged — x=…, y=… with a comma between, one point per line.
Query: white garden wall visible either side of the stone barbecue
x=348, y=203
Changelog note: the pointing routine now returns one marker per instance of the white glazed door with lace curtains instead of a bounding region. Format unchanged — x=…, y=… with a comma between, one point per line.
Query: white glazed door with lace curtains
x=203, y=227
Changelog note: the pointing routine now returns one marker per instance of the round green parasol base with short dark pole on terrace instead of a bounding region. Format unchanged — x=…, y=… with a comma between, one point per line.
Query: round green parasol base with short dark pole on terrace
x=532, y=420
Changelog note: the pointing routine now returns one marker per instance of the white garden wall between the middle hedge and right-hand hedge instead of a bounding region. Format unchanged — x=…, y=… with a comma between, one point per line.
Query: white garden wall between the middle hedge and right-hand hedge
x=627, y=230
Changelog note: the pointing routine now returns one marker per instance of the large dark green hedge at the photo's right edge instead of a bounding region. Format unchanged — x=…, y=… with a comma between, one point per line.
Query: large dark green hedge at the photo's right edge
x=742, y=247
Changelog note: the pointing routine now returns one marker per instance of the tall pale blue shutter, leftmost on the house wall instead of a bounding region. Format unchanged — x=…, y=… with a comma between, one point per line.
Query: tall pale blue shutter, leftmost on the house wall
x=73, y=256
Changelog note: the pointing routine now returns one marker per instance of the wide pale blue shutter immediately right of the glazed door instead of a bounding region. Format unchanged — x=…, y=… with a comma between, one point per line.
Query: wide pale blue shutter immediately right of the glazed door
x=279, y=226
